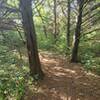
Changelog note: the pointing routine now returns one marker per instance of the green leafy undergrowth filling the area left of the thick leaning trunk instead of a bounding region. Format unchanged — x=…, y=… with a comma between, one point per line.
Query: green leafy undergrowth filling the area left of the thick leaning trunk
x=12, y=70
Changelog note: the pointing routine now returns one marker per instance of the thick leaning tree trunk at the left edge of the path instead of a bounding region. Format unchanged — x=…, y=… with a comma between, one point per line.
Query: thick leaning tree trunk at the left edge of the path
x=30, y=33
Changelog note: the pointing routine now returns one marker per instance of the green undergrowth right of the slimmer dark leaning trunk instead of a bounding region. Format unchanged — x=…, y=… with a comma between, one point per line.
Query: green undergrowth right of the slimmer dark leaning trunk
x=90, y=57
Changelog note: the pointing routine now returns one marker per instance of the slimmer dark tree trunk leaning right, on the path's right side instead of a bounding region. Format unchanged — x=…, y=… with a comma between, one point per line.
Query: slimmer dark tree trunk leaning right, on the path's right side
x=77, y=33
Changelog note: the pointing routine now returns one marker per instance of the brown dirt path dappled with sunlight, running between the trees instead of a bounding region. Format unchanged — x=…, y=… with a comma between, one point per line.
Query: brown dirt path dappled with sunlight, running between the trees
x=64, y=81
